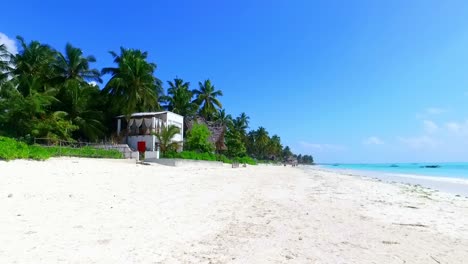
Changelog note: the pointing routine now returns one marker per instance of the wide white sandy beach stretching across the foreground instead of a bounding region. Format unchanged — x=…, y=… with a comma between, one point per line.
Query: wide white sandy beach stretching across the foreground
x=101, y=211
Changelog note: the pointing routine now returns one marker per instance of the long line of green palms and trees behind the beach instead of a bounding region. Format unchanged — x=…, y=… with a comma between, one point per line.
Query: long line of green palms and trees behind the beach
x=45, y=93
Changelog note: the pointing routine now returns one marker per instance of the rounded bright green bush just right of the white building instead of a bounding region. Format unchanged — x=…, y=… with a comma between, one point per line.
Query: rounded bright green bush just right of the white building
x=198, y=139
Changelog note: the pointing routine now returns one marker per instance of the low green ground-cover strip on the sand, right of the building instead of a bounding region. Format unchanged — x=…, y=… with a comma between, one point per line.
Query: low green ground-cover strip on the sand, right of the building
x=207, y=156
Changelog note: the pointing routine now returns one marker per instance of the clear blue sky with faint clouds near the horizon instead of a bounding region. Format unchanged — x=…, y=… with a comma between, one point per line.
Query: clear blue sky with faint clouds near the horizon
x=345, y=81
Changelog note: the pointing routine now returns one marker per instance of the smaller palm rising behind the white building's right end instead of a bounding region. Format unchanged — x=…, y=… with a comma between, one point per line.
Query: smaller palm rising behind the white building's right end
x=179, y=98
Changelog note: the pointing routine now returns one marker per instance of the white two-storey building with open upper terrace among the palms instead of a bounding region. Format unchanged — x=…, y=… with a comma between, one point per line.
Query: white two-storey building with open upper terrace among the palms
x=142, y=126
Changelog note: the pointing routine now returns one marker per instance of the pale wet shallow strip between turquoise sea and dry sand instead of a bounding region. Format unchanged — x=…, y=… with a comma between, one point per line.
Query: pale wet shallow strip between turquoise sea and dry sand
x=452, y=185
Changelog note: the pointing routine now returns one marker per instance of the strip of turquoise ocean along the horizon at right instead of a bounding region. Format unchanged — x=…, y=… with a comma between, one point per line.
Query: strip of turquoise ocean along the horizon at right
x=446, y=169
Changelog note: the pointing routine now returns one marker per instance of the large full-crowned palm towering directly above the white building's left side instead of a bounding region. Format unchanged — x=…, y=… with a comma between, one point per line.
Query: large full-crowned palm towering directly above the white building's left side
x=133, y=87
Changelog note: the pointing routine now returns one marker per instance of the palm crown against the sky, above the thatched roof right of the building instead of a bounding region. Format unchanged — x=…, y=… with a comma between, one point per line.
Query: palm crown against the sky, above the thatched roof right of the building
x=206, y=98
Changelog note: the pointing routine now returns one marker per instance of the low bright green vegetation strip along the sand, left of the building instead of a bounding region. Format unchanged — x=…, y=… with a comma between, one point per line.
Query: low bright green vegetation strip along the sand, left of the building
x=11, y=149
